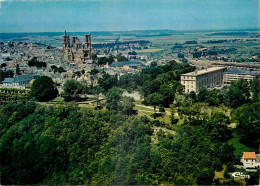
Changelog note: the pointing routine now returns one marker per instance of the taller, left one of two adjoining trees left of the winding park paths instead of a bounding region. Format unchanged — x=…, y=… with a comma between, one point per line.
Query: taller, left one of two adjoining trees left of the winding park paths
x=113, y=97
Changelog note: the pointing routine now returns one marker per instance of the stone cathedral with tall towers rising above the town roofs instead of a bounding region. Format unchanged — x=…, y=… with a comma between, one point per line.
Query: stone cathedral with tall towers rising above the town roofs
x=76, y=51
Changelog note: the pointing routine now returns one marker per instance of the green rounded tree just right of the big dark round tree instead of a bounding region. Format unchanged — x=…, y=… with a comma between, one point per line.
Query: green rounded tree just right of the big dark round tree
x=72, y=90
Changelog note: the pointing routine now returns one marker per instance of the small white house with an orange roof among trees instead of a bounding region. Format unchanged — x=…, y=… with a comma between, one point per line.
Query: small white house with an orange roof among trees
x=250, y=160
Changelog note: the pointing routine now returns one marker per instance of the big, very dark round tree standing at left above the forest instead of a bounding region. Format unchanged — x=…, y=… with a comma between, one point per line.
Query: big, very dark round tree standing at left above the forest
x=43, y=89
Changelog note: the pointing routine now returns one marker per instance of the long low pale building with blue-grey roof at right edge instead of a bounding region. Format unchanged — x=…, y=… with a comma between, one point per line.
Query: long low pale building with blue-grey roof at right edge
x=235, y=74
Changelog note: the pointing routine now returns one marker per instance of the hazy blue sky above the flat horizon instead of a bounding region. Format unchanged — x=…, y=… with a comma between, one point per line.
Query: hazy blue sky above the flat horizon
x=126, y=15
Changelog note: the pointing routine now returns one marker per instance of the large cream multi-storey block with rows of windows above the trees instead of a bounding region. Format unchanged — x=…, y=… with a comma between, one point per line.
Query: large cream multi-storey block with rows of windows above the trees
x=208, y=77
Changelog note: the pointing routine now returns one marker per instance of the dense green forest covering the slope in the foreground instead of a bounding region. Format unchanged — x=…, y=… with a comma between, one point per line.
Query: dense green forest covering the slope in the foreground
x=68, y=145
